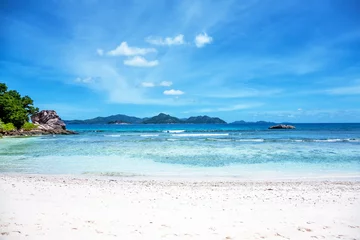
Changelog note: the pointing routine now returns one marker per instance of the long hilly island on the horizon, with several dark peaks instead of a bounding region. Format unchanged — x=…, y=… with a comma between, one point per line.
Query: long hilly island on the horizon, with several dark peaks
x=162, y=118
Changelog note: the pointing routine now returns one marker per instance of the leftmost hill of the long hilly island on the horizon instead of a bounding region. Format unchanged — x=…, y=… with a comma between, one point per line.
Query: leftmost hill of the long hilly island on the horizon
x=105, y=120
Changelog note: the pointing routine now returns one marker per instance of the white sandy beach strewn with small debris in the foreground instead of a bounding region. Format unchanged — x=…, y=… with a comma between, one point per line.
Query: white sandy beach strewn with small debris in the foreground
x=64, y=207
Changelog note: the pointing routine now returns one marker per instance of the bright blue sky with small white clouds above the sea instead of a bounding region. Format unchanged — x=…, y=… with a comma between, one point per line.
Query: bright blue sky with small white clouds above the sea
x=296, y=61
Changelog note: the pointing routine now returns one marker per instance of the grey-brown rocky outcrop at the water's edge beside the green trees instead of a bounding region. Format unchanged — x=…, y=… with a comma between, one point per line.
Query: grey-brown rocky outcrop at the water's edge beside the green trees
x=46, y=122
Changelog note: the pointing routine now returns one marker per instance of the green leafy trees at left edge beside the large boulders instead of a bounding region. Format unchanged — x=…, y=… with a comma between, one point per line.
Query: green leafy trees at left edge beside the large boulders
x=14, y=108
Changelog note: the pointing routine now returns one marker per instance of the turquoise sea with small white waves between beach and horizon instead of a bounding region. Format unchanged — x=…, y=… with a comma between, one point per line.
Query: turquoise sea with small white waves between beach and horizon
x=243, y=151
